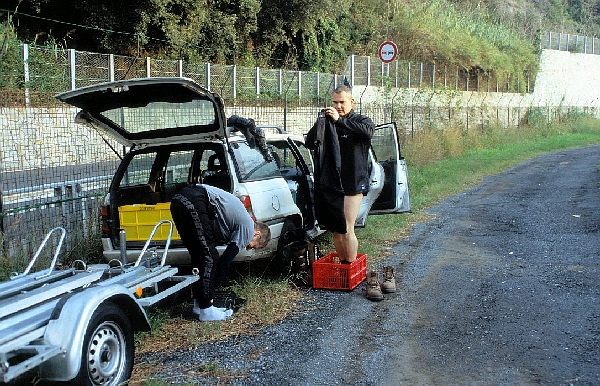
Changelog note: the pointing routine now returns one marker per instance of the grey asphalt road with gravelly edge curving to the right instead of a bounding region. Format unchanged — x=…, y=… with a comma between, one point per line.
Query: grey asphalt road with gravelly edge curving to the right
x=501, y=286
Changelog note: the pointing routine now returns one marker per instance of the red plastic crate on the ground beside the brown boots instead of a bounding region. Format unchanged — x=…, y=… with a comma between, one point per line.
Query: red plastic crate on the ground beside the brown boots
x=328, y=273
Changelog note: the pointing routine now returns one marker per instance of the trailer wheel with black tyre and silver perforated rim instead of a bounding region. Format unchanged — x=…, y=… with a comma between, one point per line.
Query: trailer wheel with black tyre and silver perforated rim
x=108, y=348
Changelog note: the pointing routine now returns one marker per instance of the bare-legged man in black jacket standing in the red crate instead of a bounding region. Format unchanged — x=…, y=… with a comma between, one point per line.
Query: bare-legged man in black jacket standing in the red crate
x=341, y=139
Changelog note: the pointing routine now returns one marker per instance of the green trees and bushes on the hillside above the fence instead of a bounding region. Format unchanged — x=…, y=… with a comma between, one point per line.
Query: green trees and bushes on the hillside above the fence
x=498, y=36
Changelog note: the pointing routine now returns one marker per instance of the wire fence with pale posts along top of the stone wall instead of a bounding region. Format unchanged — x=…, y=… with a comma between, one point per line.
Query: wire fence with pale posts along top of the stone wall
x=38, y=69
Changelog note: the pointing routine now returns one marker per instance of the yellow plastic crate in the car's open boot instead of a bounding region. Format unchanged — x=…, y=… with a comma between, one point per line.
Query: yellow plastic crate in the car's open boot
x=138, y=221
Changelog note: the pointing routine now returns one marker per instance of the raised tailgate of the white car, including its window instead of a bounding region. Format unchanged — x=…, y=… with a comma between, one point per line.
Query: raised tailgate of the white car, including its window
x=145, y=111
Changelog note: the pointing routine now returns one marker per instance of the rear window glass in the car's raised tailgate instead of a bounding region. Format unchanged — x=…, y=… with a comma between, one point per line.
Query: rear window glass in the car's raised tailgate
x=162, y=115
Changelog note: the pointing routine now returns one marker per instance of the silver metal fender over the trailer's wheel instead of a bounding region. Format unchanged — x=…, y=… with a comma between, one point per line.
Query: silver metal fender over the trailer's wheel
x=70, y=321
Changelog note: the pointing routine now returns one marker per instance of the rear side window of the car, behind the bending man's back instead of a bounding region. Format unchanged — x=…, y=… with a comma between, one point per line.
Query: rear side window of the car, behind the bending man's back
x=250, y=163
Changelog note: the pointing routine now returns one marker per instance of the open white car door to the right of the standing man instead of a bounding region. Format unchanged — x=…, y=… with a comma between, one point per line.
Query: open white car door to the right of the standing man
x=389, y=177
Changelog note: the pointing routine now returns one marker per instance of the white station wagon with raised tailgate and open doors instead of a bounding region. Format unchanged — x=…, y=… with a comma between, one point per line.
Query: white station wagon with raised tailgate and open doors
x=176, y=133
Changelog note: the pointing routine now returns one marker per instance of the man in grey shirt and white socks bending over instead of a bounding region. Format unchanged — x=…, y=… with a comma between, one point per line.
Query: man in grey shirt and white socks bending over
x=206, y=216
